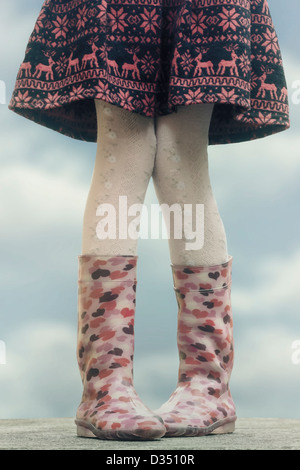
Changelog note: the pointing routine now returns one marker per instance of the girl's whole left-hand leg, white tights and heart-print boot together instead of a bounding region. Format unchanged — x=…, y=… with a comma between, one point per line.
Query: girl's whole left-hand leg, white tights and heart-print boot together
x=110, y=407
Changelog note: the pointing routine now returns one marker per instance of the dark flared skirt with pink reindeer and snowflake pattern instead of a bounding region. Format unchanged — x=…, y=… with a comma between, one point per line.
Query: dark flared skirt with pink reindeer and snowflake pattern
x=151, y=56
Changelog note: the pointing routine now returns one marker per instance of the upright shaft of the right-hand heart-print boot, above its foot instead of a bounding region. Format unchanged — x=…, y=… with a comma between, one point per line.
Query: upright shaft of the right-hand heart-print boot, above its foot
x=205, y=328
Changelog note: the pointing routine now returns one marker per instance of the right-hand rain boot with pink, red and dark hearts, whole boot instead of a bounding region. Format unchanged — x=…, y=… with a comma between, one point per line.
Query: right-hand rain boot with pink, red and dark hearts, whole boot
x=202, y=403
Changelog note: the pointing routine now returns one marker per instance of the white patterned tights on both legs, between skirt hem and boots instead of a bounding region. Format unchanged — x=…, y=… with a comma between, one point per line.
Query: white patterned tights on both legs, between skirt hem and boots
x=173, y=150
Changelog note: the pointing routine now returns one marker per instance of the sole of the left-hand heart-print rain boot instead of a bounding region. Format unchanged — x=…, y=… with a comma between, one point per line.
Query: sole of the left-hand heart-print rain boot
x=85, y=429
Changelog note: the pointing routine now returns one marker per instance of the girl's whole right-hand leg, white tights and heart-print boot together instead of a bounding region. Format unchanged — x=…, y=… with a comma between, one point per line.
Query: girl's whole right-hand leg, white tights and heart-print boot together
x=201, y=403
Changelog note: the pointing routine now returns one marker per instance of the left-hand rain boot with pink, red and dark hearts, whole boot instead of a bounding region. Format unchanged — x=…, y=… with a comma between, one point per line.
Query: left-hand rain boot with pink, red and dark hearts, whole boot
x=110, y=407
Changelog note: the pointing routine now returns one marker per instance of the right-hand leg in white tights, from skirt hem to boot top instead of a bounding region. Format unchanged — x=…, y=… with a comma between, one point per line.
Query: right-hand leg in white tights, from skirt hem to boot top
x=181, y=176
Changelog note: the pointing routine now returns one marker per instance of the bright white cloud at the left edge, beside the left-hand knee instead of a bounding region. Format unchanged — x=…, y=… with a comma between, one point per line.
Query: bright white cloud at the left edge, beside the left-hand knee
x=33, y=200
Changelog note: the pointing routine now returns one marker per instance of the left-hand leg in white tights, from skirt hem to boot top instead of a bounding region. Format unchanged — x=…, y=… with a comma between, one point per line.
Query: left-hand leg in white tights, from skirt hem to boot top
x=123, y=167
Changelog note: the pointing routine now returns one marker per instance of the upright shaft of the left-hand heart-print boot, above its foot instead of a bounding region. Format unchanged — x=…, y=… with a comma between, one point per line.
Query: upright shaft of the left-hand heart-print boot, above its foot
x=106, y=310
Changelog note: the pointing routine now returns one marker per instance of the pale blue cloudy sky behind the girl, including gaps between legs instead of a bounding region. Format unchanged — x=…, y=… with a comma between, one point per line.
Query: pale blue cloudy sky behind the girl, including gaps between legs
x=44, y=182
